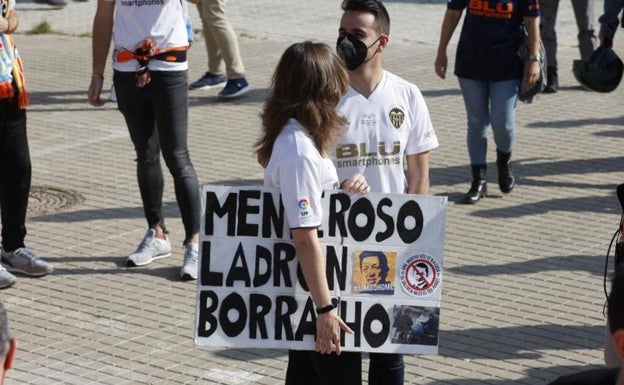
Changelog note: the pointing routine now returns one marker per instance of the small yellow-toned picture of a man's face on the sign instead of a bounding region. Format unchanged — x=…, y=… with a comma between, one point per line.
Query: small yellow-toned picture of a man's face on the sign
x=373, y=272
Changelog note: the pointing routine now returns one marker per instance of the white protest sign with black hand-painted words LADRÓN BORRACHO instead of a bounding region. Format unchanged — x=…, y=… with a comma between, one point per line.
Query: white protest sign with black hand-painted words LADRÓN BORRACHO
x=384, y=256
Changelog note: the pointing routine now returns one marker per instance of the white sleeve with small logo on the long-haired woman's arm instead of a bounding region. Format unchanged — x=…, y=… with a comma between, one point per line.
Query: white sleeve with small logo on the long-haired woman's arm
x=301, y=189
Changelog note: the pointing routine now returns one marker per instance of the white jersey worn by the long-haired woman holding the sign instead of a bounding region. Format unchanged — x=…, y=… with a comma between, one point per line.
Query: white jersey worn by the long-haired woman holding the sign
x=301, y=174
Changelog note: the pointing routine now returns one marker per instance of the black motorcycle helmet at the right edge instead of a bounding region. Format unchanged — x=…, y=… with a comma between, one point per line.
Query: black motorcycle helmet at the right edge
x=602, y=73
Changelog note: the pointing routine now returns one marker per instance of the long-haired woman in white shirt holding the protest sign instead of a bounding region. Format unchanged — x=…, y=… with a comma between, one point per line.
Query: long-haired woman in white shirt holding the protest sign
x=300, y=127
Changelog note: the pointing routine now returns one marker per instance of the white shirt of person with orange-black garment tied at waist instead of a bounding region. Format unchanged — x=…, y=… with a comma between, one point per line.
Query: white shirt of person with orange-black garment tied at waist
x=162, y=20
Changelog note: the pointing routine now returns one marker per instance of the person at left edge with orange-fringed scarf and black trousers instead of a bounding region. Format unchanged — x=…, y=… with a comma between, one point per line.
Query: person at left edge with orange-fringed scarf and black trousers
x=15, y=167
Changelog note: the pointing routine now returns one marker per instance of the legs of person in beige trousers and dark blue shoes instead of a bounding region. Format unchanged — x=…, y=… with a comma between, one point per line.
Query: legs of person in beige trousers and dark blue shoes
x=225, y=65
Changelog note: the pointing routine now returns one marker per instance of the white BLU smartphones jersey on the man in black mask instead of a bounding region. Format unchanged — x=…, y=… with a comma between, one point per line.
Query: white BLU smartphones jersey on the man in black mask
x=391, y=123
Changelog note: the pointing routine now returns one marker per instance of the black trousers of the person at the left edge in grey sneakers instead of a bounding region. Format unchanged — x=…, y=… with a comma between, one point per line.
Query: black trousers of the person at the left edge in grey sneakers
x=15, y=174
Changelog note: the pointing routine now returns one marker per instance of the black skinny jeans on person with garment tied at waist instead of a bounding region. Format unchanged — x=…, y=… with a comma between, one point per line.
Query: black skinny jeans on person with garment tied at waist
x=157, y=119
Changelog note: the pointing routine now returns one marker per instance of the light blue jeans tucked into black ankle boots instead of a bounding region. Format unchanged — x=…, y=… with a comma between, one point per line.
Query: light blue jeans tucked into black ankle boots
x=489, y=103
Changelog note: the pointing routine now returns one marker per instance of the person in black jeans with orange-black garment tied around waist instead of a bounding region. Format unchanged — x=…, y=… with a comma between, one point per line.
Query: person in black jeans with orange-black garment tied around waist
x=150, y=81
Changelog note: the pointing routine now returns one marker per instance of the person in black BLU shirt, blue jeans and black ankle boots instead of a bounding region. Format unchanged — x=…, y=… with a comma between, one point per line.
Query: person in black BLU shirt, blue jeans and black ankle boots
x=490, y=73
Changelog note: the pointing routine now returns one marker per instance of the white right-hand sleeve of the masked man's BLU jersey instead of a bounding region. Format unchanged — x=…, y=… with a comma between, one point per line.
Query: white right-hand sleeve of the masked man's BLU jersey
x=422, y=136
